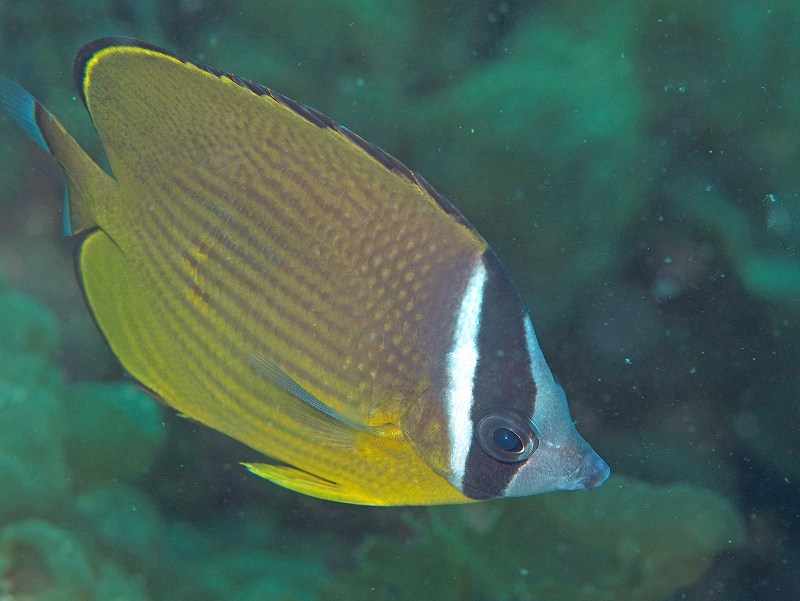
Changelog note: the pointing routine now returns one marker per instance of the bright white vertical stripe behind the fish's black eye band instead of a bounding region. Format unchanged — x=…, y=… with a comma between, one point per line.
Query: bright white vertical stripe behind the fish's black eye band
x=462, y=362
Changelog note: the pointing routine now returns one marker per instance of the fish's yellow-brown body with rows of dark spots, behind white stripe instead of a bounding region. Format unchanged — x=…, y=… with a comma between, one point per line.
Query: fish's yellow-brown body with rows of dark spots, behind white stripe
x=234, y=226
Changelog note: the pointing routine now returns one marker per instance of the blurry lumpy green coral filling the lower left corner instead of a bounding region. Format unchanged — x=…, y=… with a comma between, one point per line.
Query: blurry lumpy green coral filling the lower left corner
x=76, y=520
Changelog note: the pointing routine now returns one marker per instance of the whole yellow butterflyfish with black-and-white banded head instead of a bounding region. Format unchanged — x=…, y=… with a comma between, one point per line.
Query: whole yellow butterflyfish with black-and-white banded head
x=268, y=273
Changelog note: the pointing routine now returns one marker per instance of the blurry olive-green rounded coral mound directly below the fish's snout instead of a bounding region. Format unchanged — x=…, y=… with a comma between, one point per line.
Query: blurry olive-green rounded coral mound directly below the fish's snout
x=630, y=541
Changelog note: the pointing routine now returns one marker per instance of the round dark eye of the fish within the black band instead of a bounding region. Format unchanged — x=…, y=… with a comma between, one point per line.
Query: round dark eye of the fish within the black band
x=507, y=436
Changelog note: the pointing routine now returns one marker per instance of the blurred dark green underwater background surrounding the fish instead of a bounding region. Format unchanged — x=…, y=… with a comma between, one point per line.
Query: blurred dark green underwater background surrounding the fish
x=635, y=165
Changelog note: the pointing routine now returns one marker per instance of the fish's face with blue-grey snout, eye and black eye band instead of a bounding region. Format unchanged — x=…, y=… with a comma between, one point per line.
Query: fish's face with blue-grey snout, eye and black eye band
x=523, y=438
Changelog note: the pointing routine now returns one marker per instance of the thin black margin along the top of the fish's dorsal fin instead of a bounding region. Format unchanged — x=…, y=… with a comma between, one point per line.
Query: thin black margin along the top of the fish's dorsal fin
x=311, y=115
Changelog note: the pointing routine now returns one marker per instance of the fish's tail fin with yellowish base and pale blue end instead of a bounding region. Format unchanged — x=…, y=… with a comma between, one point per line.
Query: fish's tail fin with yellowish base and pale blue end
x=86, y=182
